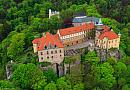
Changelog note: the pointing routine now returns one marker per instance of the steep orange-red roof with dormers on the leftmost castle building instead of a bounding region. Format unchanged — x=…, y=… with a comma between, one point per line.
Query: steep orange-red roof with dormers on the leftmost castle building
x=47, y=40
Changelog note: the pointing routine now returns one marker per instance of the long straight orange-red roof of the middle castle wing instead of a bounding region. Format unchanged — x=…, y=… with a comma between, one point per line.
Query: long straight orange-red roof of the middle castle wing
x=72, y=30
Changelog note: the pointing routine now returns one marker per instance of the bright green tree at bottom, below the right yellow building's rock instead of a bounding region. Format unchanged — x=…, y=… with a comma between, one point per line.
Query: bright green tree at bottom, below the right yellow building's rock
x=106, y=78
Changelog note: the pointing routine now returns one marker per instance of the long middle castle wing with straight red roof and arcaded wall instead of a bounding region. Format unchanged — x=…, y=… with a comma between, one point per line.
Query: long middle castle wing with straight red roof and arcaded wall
x=75, y=35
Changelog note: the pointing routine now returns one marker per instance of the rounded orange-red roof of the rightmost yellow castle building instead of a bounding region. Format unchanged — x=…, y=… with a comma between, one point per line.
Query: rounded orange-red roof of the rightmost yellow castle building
x=109, y=34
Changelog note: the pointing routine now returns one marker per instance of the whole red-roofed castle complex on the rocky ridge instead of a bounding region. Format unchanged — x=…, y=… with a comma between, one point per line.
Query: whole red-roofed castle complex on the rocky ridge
x=50, y=48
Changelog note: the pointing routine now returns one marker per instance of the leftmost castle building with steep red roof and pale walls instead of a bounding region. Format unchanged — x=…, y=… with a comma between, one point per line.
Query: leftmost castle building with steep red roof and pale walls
x=49, y=48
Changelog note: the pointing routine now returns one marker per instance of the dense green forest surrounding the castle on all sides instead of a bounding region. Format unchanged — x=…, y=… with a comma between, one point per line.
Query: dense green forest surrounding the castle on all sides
x=23, y=20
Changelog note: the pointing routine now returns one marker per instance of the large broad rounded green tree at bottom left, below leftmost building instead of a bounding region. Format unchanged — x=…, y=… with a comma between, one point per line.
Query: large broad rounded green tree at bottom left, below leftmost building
x=28, y=77
